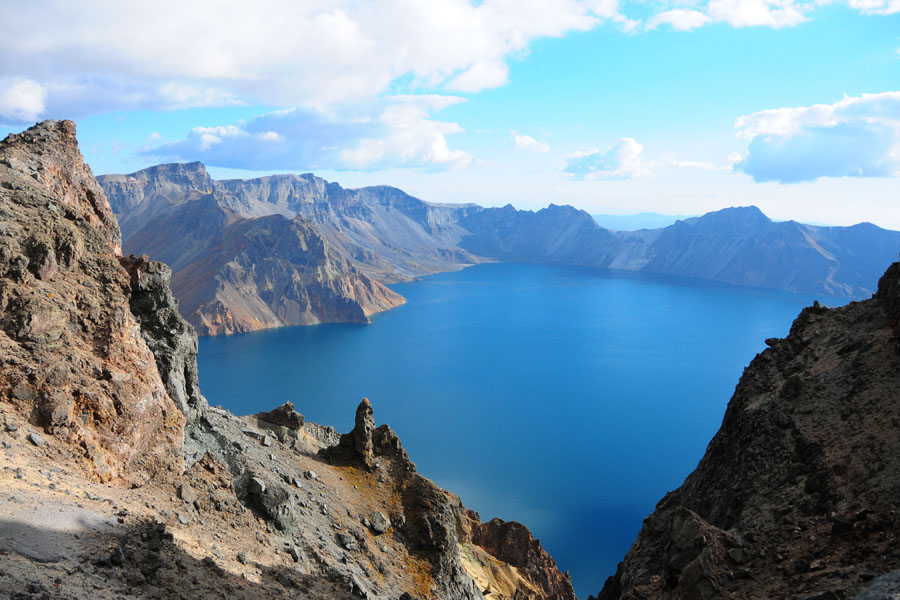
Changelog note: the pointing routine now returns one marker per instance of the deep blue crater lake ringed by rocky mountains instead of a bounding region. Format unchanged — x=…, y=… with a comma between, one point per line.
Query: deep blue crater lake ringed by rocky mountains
x=568, y=398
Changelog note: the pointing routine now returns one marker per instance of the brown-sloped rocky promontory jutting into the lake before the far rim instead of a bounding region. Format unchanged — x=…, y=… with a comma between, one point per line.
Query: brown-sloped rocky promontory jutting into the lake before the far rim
x=235, y=274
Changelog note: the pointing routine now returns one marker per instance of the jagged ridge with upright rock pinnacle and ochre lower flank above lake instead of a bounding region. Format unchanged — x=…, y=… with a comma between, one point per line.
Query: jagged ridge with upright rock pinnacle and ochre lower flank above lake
x=466, y=556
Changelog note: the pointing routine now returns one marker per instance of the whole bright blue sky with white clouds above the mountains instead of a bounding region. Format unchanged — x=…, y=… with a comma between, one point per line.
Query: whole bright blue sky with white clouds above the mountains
x=672, y=106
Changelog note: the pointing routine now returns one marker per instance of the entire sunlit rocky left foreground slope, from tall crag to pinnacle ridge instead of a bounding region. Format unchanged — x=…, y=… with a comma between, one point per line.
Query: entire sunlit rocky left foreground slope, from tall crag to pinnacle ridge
x=118, y=480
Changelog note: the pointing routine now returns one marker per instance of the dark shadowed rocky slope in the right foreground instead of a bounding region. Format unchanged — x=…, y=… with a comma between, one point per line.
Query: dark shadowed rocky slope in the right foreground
x=797, y=494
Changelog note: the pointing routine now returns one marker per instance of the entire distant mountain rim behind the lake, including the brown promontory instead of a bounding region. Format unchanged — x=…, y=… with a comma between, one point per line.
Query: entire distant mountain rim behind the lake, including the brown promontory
x=296, y=249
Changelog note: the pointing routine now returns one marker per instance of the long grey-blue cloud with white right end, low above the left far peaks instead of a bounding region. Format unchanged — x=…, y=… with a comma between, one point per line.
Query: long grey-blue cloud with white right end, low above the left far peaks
x=403, y=134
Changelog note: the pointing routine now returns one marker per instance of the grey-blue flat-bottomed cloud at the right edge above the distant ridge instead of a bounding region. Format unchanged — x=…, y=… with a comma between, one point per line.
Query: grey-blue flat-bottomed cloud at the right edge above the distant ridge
x=854, y=137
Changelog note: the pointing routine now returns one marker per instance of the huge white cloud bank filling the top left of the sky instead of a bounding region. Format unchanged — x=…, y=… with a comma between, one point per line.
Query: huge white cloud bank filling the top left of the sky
x=105, y=55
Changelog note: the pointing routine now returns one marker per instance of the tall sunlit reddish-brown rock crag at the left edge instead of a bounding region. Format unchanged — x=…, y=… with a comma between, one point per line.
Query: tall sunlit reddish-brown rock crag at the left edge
x=73, y=356
